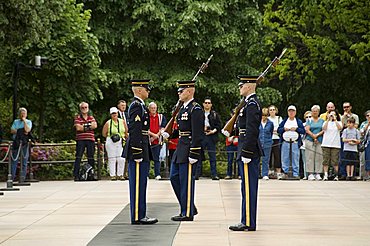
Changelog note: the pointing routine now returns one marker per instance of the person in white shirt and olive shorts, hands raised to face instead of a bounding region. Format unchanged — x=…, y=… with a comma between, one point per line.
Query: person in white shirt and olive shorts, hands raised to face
x=331, y=143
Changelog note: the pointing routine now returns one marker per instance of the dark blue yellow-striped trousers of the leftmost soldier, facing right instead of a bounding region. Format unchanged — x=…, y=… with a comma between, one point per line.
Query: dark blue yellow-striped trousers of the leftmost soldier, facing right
x=138, y=177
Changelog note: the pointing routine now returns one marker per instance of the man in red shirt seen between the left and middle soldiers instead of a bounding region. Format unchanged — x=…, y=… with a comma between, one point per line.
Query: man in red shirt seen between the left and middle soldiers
x=157, y=124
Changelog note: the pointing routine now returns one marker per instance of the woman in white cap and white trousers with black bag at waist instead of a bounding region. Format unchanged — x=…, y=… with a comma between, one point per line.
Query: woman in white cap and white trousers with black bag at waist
x=114, y=132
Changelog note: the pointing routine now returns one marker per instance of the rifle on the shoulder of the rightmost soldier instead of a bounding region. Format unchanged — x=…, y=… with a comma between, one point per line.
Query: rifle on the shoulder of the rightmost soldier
x=228, y=128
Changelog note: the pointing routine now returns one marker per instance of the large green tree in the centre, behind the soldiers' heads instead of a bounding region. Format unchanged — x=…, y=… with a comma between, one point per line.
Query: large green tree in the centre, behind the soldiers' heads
x=168, y=40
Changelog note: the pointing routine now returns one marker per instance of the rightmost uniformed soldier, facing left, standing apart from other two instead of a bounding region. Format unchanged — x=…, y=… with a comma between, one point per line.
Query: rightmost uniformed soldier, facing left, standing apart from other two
x=249, y=152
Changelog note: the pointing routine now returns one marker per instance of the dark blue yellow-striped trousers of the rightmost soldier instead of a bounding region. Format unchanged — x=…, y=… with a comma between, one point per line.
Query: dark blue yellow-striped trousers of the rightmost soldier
x=249, y=188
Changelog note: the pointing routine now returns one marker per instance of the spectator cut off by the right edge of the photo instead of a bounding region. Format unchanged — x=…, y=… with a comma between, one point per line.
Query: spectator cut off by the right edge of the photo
x=365, y=132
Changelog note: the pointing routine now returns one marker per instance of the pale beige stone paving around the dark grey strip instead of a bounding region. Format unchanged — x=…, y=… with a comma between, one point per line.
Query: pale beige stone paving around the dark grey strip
x=290, y=212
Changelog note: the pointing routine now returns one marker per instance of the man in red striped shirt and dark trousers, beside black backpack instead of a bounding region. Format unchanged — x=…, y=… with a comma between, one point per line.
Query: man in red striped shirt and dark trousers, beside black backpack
x=85, y=125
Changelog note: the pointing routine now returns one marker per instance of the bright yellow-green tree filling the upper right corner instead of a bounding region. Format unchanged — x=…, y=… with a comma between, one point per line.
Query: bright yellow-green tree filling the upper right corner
x=329, y=47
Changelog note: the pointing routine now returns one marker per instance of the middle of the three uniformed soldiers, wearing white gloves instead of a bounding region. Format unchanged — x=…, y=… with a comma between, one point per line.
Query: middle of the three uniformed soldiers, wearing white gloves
x=190, y=120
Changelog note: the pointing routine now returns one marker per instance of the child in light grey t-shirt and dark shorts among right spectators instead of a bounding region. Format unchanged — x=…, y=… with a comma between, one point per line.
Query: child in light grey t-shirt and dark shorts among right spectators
x=351, y=138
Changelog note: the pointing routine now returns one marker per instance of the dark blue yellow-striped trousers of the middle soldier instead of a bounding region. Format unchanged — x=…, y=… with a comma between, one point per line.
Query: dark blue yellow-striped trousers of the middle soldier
x=183, y=184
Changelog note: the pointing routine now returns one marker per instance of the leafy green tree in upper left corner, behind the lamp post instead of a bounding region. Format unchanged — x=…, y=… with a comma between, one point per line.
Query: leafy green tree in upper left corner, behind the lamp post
x=58, y=30
